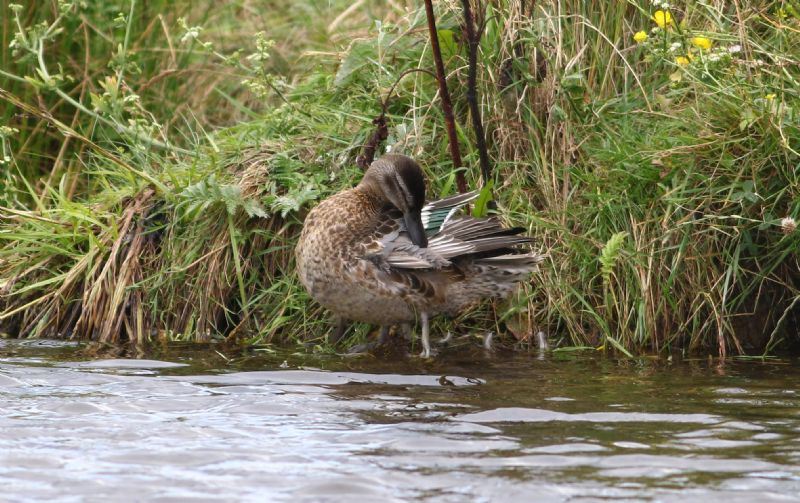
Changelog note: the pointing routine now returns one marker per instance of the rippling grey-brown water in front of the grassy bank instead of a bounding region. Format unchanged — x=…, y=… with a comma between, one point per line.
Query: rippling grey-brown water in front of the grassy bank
x=195, y=425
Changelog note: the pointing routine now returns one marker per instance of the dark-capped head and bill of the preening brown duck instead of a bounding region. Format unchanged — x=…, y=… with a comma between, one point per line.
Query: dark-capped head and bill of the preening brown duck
x=398, y=180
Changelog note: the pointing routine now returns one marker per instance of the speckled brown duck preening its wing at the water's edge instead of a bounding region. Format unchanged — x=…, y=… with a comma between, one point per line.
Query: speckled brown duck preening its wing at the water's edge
x=378, y=253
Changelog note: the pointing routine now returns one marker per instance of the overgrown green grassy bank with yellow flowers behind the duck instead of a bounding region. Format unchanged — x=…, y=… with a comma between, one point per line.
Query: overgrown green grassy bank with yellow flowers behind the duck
x=653, y=153
